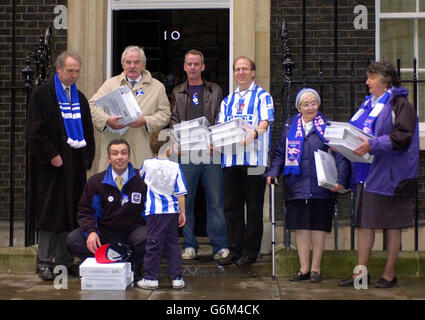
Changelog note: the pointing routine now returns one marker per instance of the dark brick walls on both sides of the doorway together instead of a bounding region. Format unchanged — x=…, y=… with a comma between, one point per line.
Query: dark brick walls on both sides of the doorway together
x=34, y=16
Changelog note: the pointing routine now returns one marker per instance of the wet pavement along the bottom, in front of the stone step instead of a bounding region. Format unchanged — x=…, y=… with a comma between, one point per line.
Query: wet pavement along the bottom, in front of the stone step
x=30, y=287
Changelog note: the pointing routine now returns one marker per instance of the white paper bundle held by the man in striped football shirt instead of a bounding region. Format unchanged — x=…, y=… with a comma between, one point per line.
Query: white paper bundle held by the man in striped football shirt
x=230, y=133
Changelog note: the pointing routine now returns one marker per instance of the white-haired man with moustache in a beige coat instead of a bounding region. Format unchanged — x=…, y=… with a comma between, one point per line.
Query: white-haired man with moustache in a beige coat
x=152, y=99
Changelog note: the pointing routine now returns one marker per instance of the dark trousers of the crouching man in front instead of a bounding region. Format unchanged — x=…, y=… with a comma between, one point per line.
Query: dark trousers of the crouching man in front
x=135, y=238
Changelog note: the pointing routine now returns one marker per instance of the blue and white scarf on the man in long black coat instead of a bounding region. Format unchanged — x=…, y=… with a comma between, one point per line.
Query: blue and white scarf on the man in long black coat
x=71, y=114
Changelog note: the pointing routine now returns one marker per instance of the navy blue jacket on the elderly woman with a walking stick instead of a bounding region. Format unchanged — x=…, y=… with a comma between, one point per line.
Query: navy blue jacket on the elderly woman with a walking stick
x=304, y=186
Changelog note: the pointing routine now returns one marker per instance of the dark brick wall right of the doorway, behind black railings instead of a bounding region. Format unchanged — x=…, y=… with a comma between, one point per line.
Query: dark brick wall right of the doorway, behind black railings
x=355, y=48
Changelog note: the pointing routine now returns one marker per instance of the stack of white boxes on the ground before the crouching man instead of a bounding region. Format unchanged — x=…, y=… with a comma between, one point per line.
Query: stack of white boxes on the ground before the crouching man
x=105, y=276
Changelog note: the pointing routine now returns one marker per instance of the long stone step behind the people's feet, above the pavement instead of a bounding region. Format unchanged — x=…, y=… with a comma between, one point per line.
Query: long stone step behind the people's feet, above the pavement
x=335, y=264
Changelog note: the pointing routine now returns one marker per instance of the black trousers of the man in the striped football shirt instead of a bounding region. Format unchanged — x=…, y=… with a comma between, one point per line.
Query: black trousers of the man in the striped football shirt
x=242, y=189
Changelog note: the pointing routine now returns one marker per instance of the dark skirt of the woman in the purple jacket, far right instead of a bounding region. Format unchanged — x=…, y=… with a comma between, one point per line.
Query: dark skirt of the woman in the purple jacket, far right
x=375, y=211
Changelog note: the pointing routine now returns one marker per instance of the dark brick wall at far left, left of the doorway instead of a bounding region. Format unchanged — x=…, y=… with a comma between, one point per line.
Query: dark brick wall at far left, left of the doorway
x=32, y=17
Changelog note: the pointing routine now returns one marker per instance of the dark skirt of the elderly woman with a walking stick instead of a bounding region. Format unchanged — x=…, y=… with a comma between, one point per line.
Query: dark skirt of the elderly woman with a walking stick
x=311, y=214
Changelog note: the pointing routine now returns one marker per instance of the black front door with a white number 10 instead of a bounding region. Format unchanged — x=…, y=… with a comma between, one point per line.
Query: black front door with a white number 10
x=166, y=35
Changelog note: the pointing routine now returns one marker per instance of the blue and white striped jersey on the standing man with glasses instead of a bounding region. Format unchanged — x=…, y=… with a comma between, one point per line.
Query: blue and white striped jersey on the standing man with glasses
x=253, y=105
